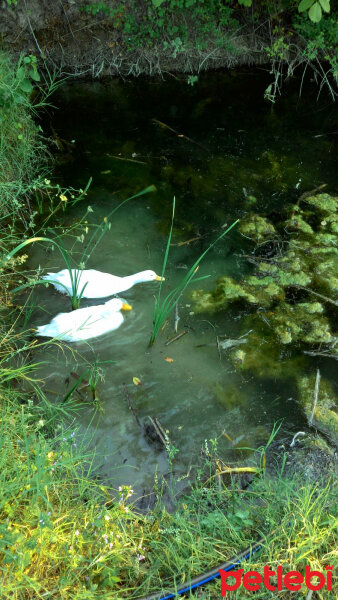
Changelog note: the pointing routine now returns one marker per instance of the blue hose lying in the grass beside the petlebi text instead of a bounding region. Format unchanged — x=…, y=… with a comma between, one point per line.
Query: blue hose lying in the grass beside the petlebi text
x=209, y=575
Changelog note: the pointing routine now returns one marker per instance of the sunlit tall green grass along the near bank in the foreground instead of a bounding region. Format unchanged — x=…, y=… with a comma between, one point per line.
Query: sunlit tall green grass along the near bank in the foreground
x=65, y=534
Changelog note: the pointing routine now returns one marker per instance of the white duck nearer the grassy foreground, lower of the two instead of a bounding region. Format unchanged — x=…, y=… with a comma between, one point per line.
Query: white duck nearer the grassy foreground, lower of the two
x=85, y=323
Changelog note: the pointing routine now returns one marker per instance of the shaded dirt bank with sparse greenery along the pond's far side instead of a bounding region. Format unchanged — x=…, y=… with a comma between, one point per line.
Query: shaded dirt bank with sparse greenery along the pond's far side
x=80, y=42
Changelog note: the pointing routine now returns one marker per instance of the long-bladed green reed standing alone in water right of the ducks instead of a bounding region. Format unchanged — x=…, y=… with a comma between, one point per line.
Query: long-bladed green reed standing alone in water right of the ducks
x=164, y=307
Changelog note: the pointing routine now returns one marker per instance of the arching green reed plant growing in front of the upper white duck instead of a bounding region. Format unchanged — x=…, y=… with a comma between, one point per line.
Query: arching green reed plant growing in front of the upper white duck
x=75, y=271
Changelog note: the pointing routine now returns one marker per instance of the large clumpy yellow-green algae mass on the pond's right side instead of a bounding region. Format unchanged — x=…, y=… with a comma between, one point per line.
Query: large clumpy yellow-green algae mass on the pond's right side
x=283, y=292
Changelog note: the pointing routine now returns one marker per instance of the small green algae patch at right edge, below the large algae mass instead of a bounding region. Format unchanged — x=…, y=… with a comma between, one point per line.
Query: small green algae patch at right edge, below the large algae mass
x=325, y=416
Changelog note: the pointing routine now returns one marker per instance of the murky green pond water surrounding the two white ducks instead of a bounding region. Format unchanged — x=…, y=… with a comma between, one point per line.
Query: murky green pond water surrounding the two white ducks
x=223, y=144
